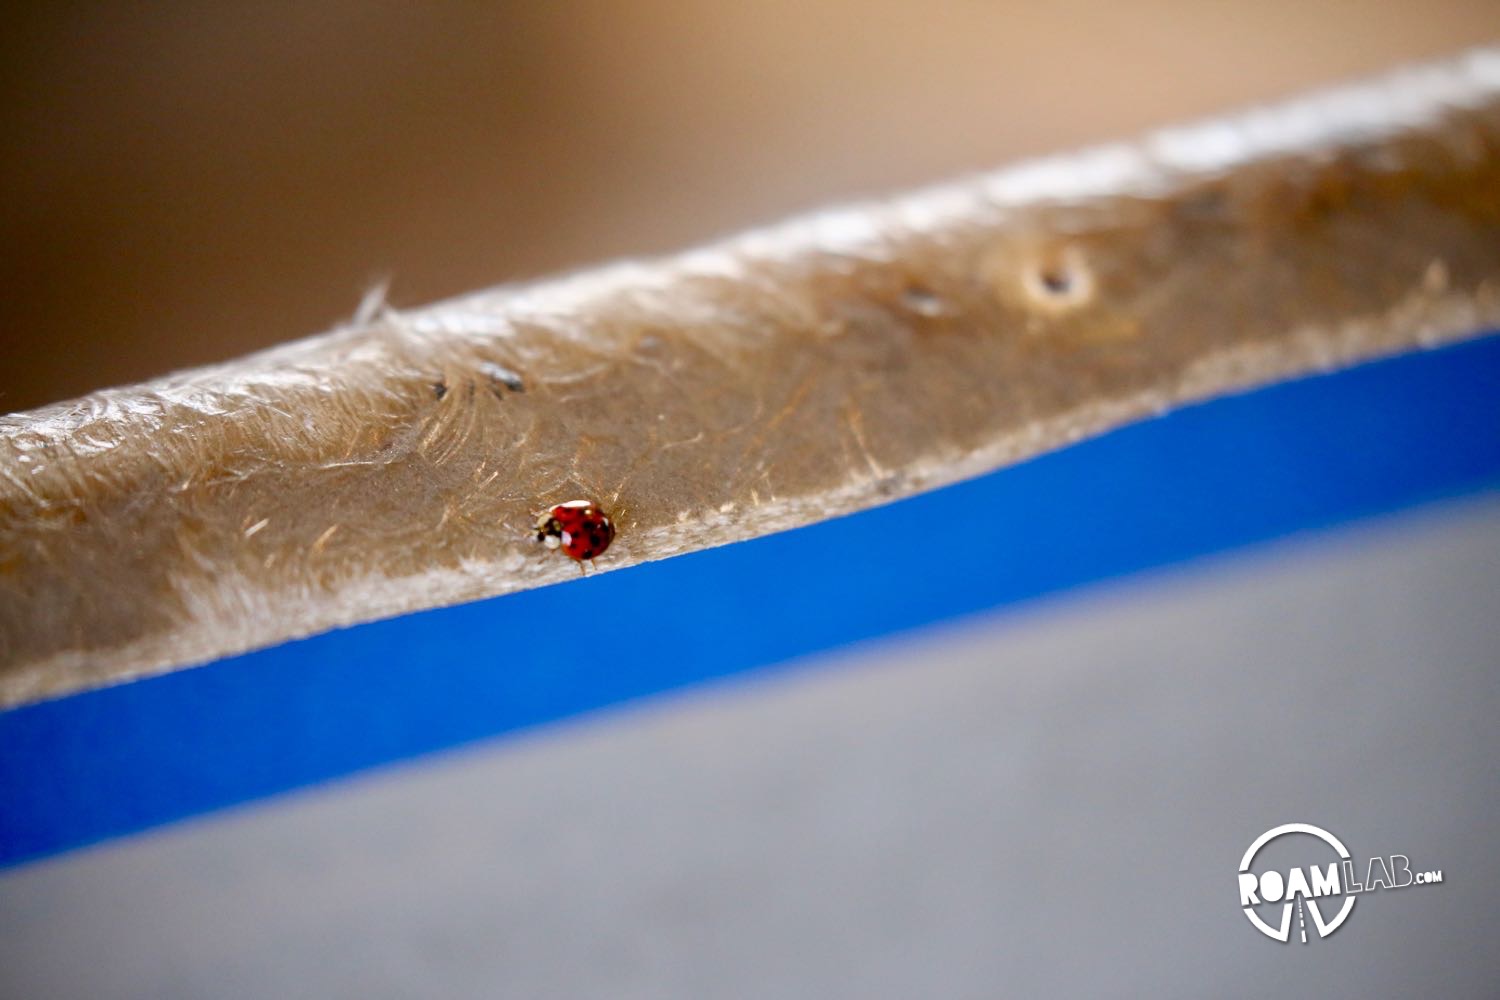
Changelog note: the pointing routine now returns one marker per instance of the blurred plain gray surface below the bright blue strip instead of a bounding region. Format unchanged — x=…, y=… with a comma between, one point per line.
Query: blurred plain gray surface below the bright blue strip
x=1051, y=803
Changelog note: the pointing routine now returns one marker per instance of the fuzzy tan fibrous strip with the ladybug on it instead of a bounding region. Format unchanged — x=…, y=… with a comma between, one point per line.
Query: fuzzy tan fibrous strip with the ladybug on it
x=794, y=374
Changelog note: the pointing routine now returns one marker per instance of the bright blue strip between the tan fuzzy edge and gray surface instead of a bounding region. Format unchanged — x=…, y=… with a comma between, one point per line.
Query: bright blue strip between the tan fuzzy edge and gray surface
x=1205, y=479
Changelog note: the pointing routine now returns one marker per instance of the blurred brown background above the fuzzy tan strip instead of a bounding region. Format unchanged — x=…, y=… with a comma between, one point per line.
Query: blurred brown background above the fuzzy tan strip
x=182, y=184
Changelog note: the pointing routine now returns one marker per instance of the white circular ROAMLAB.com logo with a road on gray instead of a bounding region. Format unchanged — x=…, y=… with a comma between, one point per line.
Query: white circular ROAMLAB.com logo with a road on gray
x=1324, y=887
